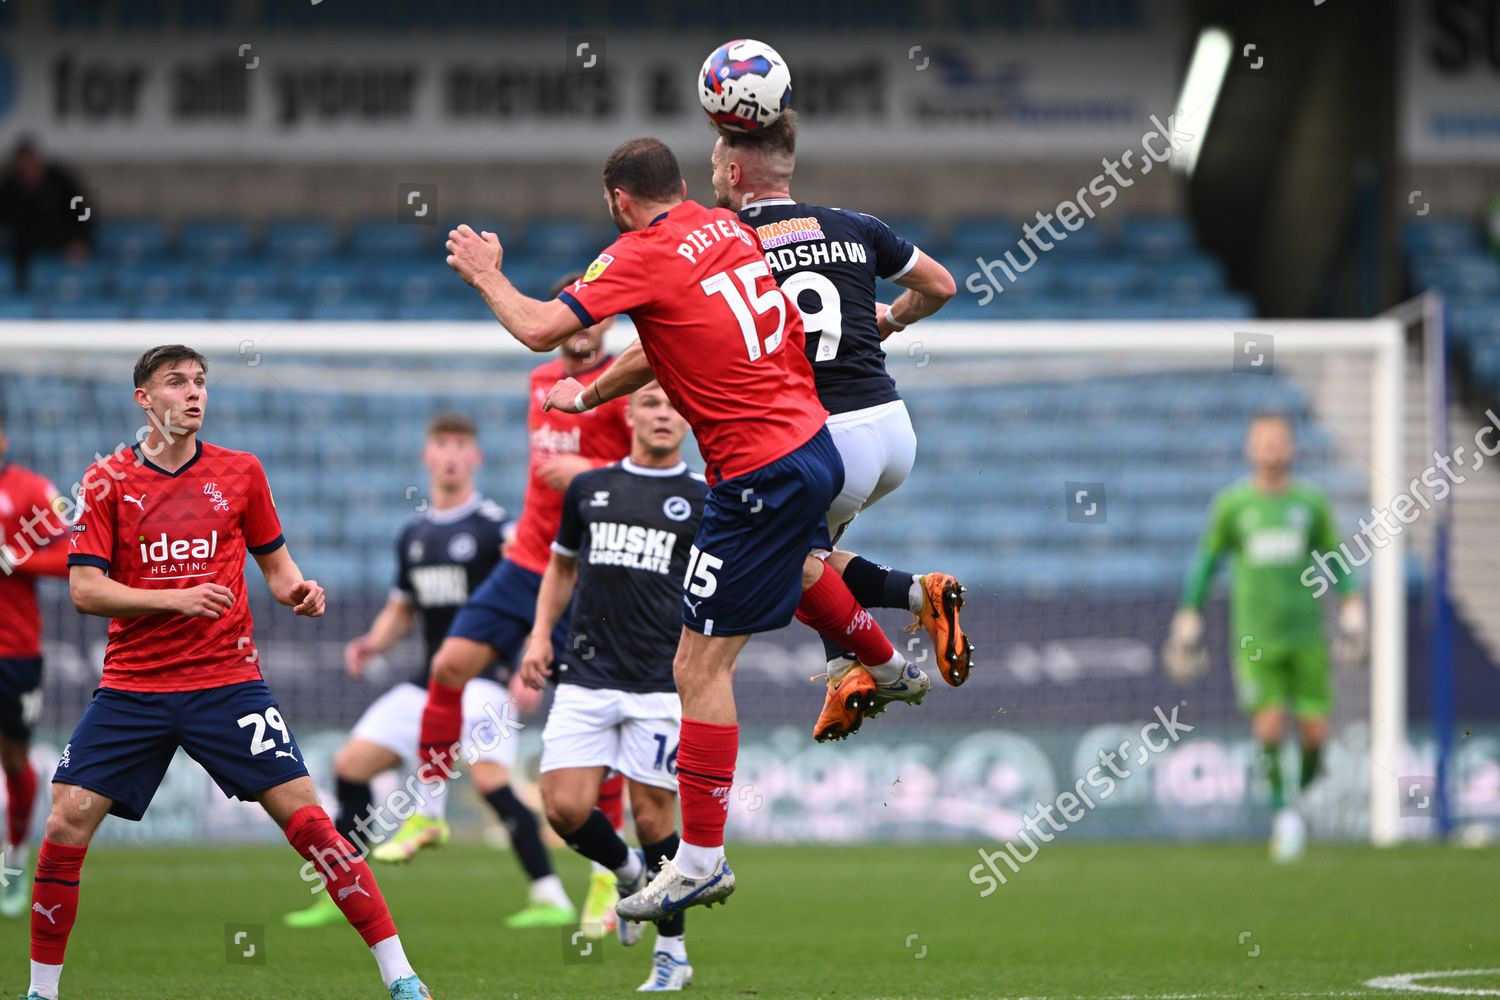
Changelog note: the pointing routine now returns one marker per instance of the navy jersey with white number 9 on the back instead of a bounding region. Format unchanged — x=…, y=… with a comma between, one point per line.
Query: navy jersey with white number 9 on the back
x=827, y=260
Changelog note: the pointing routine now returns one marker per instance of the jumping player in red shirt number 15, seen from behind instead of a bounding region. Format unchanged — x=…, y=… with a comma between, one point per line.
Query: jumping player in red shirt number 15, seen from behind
x=727, y=347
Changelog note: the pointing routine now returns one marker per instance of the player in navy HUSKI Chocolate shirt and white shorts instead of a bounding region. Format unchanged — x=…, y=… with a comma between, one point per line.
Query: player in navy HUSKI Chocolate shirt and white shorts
x=620, y=557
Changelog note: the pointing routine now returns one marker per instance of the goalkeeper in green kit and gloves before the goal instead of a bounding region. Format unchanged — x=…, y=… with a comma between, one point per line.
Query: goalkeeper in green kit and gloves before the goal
x=1271, y=525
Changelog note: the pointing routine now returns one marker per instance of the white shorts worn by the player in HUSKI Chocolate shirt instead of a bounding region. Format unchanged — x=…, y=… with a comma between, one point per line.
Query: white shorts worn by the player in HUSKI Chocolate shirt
x=622, y=731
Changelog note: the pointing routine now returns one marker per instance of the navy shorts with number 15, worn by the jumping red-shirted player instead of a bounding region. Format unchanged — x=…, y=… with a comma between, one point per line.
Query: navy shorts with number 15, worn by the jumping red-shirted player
x=745, y=573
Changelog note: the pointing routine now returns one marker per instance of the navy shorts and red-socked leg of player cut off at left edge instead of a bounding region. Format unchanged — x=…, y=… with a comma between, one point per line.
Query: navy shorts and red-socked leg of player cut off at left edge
x=20, y=705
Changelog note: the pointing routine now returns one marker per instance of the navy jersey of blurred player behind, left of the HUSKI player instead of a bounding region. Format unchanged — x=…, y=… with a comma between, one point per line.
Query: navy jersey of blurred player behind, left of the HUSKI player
x=442, y=558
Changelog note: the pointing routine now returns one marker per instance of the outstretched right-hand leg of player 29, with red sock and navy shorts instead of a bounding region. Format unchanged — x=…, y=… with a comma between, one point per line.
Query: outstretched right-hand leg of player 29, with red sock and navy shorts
x=239, y=735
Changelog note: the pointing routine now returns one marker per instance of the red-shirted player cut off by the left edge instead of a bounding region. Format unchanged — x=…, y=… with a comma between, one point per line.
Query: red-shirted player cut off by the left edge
x=32, y=545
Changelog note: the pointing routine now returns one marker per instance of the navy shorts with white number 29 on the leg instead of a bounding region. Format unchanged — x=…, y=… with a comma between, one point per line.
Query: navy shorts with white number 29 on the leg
x=125, y=741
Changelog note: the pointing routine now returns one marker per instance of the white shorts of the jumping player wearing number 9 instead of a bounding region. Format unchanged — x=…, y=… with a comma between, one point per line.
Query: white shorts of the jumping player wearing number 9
x=880, y=448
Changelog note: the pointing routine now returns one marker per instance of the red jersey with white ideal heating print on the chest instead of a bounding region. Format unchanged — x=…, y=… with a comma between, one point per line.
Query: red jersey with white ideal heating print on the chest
x=157, y=530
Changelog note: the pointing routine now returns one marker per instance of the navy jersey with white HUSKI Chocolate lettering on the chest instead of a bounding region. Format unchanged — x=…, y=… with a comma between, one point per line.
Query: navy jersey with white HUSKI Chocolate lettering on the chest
x=631, y=530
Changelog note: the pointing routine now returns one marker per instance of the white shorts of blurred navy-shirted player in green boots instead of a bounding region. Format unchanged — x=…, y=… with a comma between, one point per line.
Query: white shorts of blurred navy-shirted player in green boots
x=395, y=723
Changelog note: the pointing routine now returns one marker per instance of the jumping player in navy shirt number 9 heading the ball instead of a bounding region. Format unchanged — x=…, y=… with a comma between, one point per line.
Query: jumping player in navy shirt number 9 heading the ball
x=827, y=262
